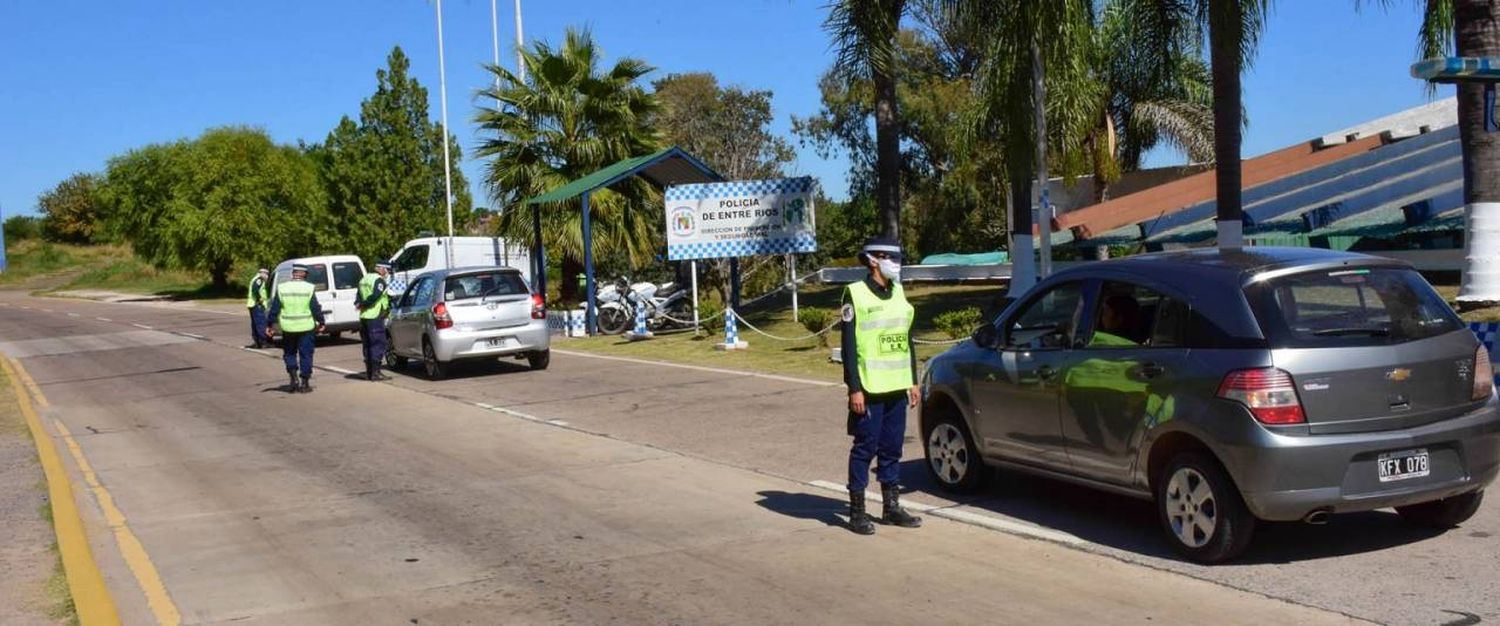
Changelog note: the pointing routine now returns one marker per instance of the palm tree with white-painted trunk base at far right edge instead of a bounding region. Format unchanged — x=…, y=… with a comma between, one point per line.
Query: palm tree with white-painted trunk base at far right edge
x=1474, y=29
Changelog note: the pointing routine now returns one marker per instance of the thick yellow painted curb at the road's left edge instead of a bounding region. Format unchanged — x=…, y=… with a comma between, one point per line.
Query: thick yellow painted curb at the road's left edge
x=85, y=582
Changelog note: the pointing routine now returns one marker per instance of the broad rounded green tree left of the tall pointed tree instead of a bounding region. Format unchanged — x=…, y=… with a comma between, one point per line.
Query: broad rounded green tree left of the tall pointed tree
x=229, y=197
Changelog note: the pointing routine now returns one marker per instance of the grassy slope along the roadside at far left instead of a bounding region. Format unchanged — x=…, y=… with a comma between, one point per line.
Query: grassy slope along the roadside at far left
x=109, y=268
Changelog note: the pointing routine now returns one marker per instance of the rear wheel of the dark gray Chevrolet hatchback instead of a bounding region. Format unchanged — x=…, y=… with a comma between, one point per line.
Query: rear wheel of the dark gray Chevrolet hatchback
x=1202, y=511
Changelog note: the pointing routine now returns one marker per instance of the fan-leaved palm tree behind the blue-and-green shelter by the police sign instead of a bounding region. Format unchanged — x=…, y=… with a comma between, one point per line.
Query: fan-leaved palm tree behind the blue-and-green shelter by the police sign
x=563, y=122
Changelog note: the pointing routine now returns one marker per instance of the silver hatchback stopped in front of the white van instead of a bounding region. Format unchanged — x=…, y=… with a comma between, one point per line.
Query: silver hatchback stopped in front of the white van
x=470, y=313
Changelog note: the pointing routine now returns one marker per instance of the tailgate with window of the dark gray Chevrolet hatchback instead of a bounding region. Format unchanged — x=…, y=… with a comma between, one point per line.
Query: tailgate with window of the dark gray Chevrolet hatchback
x=1369, y=349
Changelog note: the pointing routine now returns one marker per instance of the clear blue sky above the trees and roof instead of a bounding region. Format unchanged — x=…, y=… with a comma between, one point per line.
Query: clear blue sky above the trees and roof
x=82, y=82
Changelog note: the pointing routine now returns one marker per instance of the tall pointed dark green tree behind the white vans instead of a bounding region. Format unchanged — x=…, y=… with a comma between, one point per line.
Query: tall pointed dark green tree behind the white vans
x=385, y=173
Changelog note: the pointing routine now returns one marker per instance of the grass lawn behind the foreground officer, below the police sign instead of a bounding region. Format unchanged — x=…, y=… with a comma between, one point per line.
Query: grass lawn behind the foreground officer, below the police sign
x=803, y=358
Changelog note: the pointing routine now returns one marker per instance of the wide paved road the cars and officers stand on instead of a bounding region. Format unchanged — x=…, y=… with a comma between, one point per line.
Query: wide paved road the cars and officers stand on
x=608, y=490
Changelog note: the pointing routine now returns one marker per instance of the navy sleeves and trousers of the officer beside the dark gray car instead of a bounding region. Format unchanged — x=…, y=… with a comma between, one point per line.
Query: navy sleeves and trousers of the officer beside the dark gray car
x=881, y=432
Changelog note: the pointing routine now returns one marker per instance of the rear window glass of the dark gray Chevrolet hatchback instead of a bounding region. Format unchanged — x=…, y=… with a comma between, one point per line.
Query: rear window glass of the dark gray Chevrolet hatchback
x=1351, y=307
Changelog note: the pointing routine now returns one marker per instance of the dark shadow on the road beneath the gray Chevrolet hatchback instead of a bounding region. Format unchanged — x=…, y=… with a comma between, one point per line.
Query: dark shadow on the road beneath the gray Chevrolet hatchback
x=1132, y=525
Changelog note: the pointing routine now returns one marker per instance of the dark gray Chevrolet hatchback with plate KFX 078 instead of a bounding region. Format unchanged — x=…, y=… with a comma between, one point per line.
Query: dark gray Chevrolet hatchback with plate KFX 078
x=1228, y=387
